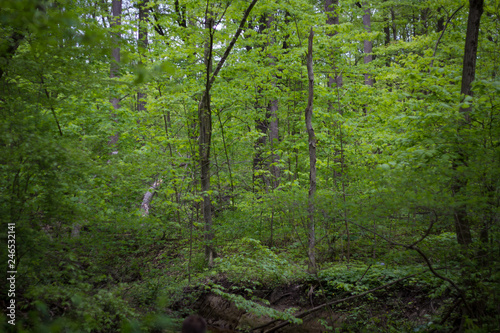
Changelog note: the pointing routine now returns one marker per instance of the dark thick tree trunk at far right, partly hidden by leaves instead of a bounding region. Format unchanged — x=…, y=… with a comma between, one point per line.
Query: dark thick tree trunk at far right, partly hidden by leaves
x=462, y=224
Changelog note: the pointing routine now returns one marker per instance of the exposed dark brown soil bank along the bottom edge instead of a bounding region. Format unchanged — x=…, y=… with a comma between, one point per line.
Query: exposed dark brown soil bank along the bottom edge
x=391, y=304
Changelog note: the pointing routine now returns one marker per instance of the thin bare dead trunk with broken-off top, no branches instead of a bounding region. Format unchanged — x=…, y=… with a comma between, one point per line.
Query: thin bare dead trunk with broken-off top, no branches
x=312, y=157
